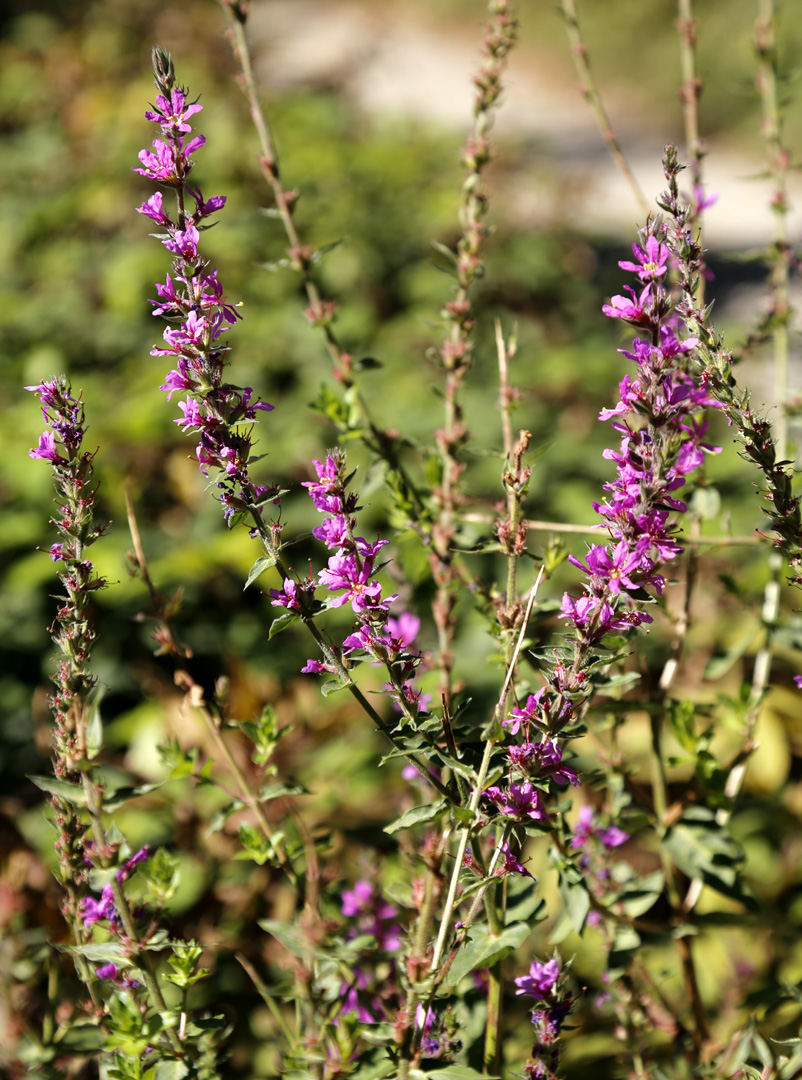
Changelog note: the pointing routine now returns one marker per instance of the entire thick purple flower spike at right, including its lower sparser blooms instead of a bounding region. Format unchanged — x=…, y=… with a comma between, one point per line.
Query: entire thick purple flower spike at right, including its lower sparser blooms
x=662, y=428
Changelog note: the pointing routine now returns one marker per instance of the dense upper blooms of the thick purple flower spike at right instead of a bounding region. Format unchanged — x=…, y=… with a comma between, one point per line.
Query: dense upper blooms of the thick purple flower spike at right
x=659, y=417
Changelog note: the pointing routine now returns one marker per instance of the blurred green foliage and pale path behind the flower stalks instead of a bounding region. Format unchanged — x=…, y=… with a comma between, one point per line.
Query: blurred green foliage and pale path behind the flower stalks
x=77, y=268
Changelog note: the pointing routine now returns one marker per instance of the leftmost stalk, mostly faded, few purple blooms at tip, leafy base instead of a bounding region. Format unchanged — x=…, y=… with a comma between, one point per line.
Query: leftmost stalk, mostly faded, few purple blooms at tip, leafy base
x=96, y=861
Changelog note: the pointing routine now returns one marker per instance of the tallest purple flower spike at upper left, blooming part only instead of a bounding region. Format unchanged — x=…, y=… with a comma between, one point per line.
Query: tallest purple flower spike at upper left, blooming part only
x=221, y=414
